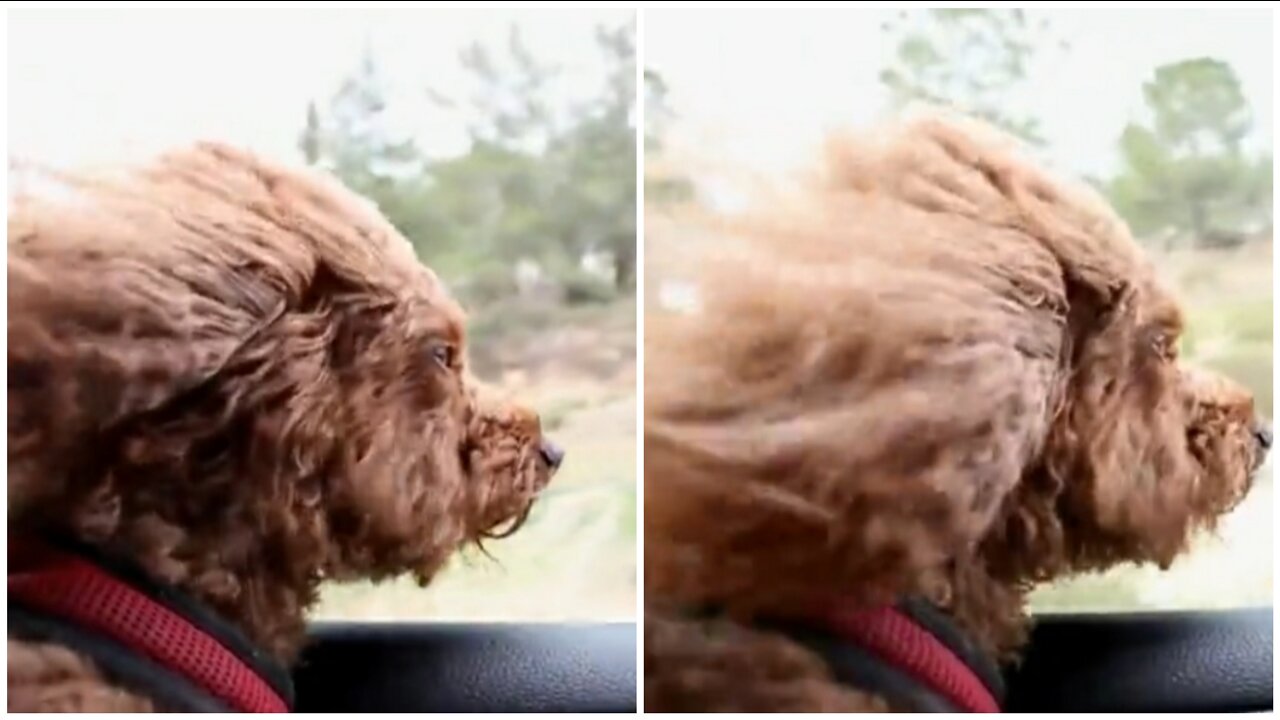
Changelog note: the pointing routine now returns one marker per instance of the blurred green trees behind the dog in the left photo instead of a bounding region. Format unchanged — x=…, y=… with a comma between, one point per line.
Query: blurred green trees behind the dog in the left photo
x=541, y=184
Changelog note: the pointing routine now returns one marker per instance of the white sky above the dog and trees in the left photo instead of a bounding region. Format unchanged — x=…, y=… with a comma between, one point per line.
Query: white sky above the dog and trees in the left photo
x=98, y=86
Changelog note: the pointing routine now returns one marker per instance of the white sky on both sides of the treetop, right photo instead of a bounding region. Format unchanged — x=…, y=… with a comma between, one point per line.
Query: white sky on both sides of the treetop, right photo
x=767, y=85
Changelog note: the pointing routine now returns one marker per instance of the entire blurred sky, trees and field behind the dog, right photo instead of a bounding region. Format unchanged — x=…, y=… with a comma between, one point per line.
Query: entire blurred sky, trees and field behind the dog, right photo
x=1168, y=113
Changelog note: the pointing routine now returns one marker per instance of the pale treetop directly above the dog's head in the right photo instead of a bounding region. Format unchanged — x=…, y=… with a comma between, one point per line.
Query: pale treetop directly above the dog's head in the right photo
x=973, y=61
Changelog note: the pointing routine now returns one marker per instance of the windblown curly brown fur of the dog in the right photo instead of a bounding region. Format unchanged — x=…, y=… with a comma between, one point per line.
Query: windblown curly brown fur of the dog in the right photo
x=941, y=373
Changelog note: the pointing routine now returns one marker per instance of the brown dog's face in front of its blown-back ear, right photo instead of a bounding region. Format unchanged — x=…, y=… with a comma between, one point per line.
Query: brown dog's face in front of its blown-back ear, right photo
x=1142, y=448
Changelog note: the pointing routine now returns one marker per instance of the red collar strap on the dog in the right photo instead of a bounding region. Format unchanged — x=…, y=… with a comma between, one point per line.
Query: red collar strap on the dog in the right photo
x=922, y=644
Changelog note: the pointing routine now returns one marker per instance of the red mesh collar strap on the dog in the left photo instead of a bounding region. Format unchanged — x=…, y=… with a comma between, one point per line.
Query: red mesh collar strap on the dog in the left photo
x=70, y=595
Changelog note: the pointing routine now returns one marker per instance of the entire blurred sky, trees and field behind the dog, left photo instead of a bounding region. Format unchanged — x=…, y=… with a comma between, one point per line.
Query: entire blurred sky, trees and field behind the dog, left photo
x=502, y=144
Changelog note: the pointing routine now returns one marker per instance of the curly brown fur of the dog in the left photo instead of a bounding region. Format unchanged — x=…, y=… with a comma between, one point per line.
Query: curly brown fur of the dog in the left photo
x=240, y=377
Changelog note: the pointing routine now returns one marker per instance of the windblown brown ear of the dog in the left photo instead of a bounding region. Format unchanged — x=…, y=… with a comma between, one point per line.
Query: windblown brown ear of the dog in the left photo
x=124, y=297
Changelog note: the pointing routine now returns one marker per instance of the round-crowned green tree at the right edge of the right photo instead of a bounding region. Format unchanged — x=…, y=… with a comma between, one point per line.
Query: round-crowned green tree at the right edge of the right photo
x=1188, y=172
